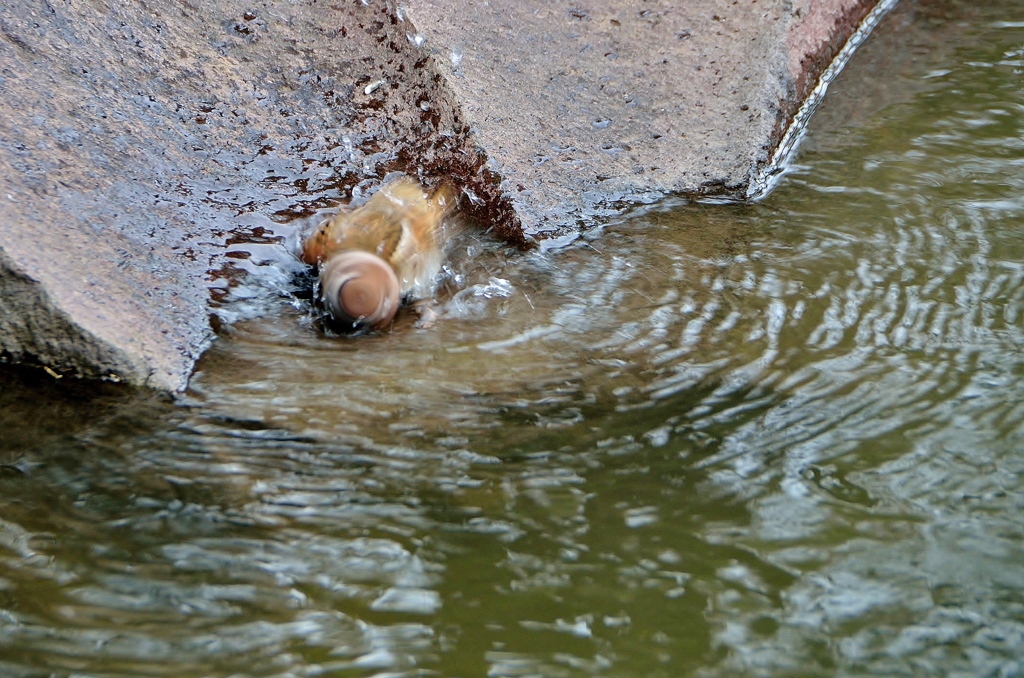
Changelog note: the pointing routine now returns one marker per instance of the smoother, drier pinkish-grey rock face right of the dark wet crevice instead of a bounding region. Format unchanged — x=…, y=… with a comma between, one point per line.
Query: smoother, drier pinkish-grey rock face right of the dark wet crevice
x=585, y=106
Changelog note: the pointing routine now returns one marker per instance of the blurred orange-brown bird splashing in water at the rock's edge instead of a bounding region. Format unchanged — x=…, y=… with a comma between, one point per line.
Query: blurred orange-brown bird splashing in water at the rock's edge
x=382, y=253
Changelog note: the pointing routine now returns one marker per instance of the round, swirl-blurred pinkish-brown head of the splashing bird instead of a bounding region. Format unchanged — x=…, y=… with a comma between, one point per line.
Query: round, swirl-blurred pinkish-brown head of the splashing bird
x=360, y=289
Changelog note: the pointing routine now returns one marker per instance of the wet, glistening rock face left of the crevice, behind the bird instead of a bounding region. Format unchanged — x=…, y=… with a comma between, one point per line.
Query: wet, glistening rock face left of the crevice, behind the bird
x=140, y=142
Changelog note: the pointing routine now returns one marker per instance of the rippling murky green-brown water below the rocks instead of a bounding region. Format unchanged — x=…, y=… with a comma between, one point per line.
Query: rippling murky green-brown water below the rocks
x=720, y=441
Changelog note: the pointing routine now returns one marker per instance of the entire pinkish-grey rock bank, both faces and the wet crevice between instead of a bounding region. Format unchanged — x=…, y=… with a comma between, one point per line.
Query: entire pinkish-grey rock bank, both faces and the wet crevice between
x=145, y=147
